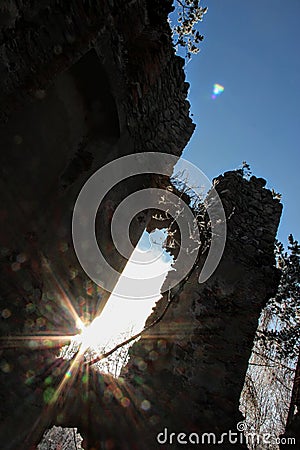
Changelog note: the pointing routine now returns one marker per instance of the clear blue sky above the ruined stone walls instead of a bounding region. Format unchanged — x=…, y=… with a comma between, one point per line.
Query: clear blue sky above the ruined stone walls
x=253, y=51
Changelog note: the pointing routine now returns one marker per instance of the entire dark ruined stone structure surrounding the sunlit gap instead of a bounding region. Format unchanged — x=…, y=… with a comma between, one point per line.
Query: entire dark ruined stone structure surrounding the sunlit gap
x=83, y=83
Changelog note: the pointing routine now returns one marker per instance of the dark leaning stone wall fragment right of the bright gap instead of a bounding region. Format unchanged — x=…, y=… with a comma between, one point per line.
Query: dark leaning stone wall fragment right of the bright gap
x=195, y=359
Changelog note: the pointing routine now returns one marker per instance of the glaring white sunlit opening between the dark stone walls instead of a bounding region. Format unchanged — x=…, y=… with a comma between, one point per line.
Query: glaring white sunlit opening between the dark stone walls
x=124, y=317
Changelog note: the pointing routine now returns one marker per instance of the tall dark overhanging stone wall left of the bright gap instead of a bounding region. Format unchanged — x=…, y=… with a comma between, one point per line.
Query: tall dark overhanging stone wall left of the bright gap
x=82, y=83
